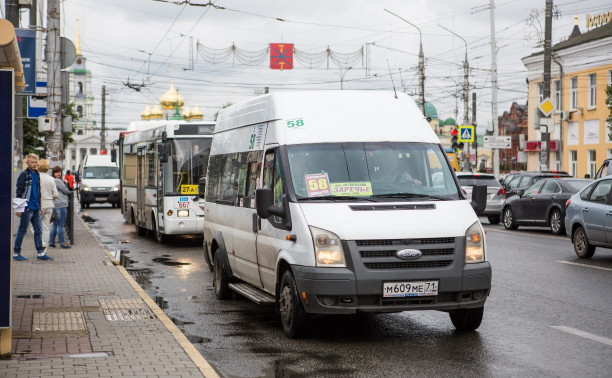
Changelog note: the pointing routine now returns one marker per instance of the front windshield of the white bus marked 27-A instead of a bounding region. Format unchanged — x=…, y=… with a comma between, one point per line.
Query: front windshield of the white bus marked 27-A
x=187, y=163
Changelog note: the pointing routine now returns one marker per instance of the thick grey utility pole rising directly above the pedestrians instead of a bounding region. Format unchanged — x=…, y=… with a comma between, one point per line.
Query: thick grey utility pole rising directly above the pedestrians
x=54, y=86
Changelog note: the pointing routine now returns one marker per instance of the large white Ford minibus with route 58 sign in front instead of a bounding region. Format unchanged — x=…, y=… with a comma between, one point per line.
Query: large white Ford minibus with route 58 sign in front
x=335, y=202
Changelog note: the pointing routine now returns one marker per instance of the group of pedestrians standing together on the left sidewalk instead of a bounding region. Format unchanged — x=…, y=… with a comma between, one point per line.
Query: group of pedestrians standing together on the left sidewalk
x=47, y=195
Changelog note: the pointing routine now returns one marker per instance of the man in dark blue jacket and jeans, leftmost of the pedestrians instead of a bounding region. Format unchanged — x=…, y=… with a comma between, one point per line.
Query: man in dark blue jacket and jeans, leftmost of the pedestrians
x=28, y=187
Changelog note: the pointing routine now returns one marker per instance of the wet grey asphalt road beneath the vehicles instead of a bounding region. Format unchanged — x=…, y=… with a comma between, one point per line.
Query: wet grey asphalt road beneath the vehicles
x=548, y=315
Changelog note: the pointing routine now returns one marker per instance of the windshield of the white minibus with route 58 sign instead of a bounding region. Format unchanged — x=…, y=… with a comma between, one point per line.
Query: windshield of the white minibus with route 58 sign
x=382, y=169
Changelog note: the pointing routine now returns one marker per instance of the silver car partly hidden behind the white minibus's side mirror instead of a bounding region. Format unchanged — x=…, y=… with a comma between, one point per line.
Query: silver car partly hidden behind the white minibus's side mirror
x=495, y=193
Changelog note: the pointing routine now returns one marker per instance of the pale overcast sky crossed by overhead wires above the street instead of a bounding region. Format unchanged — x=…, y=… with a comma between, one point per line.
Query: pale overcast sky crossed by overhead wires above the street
x=155, y=43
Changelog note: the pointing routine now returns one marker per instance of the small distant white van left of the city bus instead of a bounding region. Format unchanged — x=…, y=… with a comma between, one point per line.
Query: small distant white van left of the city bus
x=98, y=181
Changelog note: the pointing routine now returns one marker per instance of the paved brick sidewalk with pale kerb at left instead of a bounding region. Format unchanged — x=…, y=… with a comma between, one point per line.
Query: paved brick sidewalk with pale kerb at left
x=82, y=315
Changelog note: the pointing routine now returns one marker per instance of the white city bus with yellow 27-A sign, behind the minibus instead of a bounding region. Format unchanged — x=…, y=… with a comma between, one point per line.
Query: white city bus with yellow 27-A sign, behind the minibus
x=162, y=169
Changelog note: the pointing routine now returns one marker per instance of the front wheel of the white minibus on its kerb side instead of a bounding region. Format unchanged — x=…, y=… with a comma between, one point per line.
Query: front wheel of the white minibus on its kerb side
x=293, y=317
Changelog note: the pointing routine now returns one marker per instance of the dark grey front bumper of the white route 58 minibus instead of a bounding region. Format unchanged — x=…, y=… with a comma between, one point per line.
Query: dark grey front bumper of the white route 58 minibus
x=336, y=291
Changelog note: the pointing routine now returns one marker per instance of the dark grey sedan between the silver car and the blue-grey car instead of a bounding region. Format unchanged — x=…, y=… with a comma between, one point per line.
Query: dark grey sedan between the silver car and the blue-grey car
x=542, y=204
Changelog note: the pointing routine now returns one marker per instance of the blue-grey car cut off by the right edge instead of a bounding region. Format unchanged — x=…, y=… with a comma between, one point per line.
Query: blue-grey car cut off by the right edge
x=588, y=222
